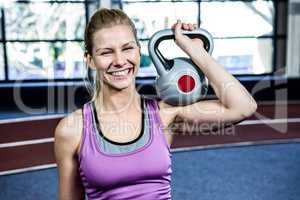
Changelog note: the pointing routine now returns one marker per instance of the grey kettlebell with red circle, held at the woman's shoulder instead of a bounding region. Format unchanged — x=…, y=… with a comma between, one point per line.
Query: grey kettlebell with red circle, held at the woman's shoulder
x=179, y=80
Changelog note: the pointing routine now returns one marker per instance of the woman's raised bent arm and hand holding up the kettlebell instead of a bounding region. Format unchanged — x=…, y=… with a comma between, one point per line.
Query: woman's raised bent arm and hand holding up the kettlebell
x=234, y=102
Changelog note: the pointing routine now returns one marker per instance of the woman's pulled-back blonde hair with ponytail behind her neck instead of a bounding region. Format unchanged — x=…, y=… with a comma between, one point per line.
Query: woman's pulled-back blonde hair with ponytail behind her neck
x=102, y=18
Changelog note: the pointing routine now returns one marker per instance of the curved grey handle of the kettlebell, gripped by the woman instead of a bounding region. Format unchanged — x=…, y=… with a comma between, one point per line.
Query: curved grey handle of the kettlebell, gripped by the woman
x=157, y=58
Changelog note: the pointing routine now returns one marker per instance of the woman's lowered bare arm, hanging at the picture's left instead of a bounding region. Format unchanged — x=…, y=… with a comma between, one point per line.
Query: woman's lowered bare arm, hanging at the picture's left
x=67, y=138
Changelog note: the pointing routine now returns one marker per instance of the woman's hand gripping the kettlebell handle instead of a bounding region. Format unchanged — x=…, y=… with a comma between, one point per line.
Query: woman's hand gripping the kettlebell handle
x=187, y=44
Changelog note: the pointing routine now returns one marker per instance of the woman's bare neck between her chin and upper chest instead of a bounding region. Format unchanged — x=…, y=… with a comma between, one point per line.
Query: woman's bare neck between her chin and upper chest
x=113, y=101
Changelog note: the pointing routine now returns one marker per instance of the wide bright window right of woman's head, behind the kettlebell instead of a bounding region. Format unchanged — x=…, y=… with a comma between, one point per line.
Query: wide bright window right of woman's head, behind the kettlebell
x=244, y=32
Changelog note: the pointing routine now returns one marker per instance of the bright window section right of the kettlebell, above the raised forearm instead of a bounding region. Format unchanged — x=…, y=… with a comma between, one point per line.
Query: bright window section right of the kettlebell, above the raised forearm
x=243, y=32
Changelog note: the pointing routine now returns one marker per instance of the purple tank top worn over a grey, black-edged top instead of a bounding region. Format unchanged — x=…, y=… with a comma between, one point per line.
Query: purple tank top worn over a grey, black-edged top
x=142, y=174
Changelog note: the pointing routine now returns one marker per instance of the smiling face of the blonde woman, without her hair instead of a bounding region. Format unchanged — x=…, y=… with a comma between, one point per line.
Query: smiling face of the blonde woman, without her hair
x=116, y=56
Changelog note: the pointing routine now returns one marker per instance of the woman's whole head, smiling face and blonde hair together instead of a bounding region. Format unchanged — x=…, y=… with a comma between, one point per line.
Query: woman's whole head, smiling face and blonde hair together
x=103, y=48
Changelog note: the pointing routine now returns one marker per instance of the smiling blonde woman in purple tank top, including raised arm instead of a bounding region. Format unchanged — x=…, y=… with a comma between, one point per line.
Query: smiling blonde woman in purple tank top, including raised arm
x=118, y=145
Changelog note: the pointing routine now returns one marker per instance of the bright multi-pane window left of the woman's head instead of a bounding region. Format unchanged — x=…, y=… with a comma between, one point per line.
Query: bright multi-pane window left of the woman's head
x=42, y=40
